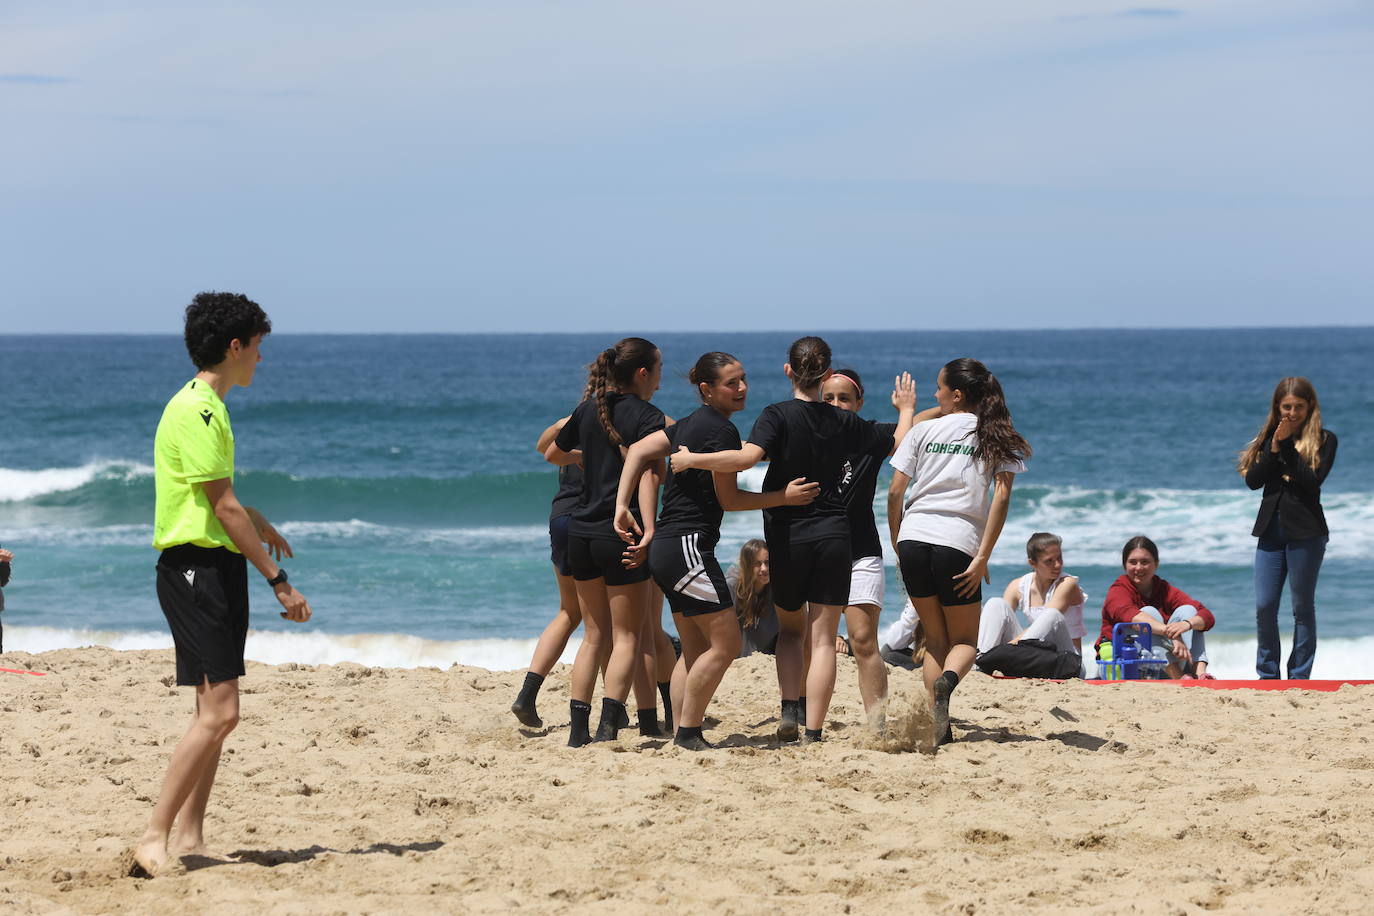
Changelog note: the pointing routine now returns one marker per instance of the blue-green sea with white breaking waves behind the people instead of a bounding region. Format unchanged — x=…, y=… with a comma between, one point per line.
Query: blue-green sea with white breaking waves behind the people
x=403, y=472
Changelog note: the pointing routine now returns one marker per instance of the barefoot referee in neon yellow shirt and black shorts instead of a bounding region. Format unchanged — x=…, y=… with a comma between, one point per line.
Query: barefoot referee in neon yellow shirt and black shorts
x=208, y=539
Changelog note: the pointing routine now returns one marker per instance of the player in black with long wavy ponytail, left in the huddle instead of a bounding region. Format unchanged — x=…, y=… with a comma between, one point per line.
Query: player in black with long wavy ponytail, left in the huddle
x=612, y=582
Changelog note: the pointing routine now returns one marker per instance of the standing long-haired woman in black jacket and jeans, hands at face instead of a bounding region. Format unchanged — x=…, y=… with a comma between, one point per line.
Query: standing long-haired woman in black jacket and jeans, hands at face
x=1289, y=458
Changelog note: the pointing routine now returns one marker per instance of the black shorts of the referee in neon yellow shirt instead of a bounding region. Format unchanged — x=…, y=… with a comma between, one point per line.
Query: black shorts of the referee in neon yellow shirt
x=205, y=597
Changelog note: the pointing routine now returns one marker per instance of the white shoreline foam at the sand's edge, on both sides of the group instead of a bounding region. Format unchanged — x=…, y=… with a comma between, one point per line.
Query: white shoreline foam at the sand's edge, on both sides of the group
x=1232, y=657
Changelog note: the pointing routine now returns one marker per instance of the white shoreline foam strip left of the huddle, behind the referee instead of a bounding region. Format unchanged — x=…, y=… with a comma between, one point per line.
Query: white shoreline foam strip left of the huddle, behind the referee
x=384, y=650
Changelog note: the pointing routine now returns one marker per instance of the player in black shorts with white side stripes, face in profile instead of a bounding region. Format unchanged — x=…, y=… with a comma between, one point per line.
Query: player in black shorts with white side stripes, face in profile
x=682, y=553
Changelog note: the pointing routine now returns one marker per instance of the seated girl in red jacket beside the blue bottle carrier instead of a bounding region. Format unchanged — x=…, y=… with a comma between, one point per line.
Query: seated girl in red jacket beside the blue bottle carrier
x=1175, y=620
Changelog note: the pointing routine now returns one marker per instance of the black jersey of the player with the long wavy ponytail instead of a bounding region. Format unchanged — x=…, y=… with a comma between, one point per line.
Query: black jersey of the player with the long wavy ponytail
x=602, y=461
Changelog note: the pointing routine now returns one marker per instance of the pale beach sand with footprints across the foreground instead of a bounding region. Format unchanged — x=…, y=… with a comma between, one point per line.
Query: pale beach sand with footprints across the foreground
x=380, y=790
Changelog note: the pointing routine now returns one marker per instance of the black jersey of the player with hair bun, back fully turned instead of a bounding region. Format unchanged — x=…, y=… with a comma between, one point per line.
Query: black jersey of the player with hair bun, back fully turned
x=811, y=440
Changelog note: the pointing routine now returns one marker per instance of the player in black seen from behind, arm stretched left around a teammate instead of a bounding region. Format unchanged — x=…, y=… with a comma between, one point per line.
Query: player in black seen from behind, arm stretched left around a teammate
x=809, y=546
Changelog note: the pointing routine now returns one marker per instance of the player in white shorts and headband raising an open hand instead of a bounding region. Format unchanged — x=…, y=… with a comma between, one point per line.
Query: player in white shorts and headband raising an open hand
x=868, y=580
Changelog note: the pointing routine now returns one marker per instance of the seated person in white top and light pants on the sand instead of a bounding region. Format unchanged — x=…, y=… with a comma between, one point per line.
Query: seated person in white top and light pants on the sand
x=1052, y=602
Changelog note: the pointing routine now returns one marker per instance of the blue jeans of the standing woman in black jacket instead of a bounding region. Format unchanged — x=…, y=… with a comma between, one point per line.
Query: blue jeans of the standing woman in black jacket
x=1276, y=560
